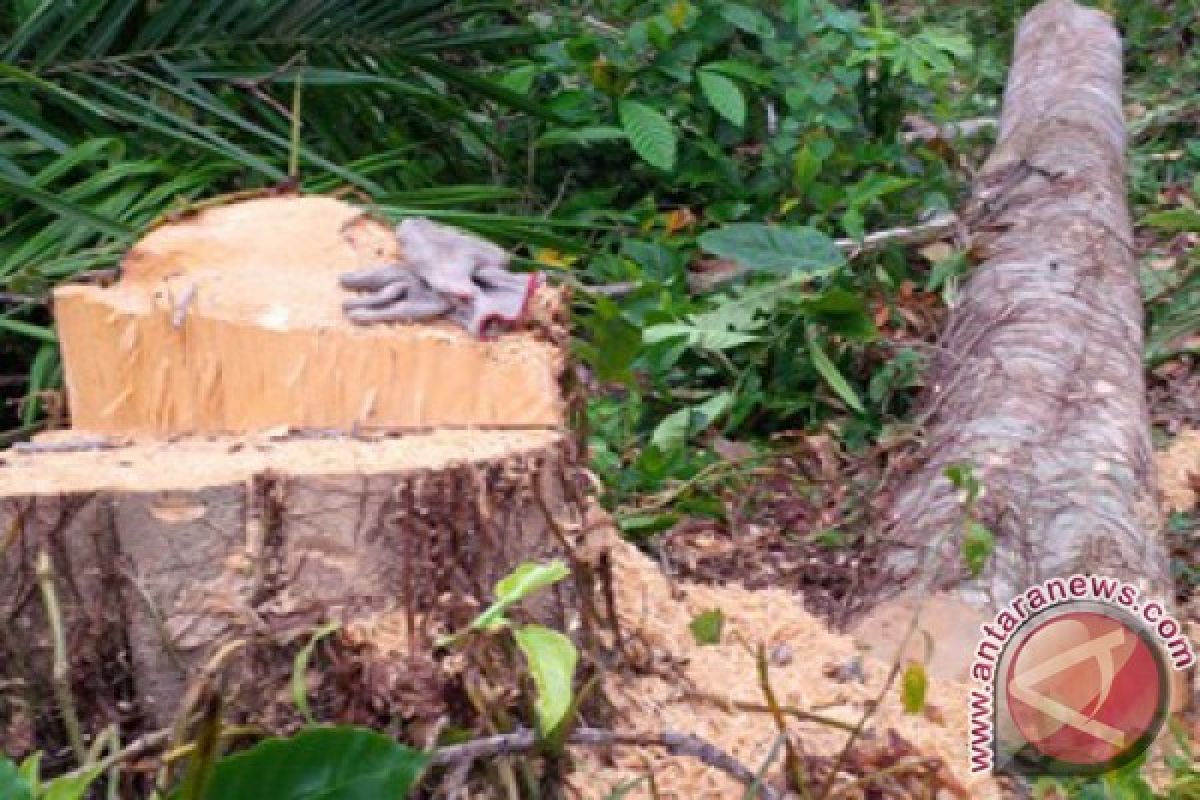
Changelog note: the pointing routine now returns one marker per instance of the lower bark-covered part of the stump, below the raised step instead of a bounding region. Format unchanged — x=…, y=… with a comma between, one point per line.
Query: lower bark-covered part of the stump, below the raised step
x=163, y=555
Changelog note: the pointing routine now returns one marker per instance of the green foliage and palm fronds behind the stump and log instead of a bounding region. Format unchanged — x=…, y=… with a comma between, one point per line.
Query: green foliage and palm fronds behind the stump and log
x=613, y=143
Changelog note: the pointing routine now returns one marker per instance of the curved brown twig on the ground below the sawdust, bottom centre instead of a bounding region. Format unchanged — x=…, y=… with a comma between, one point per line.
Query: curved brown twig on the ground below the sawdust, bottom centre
x=677, y=744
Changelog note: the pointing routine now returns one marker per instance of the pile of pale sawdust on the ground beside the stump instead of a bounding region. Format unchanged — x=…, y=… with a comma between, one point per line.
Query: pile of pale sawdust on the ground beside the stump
x=694, y=690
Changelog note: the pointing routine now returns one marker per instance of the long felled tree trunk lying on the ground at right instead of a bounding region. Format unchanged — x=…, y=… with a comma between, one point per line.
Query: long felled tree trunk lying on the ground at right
x=1039, y=381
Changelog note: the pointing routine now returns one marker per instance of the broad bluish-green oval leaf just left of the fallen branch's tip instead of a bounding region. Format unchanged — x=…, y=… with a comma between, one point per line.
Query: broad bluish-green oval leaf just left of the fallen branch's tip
x=772, y=249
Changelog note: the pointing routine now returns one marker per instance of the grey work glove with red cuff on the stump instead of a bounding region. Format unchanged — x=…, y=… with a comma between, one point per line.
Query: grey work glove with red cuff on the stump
x=446, y=273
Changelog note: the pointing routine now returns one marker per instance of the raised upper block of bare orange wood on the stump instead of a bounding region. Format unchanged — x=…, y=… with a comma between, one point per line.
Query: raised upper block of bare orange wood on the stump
x=230, y=321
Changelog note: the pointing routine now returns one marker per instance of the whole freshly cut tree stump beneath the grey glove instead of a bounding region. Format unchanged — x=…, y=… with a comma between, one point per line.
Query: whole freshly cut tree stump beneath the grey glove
x=245, y=467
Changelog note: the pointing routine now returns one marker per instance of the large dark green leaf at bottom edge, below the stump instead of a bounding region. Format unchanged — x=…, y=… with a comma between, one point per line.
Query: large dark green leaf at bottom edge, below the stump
x=338, y=763
